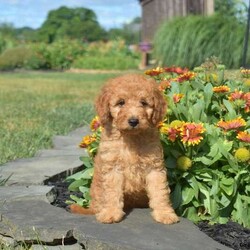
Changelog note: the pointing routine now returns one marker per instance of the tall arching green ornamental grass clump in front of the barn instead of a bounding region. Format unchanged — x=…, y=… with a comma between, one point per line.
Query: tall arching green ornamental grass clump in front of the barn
x=190, y=40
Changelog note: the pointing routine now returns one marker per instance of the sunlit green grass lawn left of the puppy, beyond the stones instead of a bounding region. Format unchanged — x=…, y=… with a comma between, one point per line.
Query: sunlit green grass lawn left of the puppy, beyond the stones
x=34, y=106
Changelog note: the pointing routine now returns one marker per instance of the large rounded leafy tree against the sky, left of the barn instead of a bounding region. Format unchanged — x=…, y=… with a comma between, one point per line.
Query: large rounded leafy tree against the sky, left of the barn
x=76, y=23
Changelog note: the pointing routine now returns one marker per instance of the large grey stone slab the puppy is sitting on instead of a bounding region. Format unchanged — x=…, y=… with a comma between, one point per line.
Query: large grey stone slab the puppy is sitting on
x=29, y=220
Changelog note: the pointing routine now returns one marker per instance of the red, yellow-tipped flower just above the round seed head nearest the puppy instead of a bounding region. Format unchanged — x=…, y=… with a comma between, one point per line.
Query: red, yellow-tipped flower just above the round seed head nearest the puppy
x=191, y=133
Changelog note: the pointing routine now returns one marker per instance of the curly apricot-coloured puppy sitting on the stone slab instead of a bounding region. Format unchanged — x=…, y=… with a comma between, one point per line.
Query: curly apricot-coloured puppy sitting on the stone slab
x=128, y=169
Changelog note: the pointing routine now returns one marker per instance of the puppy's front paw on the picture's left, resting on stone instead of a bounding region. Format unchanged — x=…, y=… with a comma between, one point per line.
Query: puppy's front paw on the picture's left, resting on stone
x=110, y=216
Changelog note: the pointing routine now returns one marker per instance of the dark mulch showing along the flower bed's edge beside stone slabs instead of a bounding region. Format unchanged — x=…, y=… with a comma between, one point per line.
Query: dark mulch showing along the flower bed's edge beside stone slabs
x=231, y=234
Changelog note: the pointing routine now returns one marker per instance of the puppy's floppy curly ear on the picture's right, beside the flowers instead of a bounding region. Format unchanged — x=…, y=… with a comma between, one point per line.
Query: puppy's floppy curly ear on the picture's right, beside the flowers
x=160, y=106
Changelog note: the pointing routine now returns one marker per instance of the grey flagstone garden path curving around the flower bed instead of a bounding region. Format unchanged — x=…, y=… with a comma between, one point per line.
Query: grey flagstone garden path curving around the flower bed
x=27, y=216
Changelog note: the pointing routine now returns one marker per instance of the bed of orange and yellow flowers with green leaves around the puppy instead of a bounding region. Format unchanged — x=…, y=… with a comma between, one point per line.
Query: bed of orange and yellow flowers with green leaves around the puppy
x=206, y=141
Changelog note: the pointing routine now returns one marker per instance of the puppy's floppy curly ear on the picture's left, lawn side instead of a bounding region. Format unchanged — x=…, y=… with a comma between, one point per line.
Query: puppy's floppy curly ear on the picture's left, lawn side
x=102, y=106
